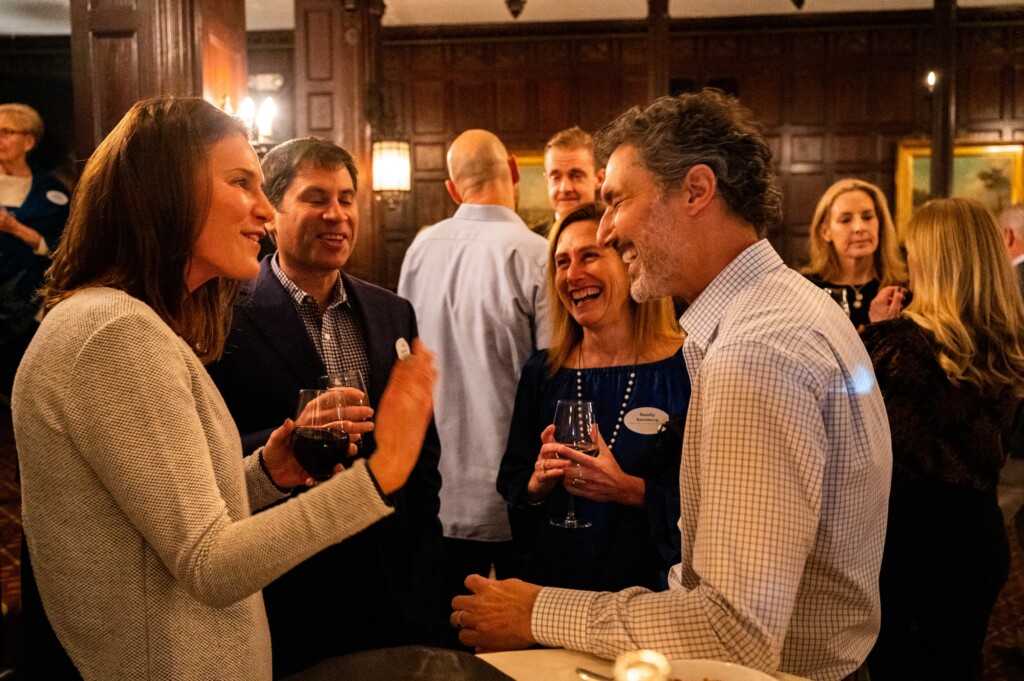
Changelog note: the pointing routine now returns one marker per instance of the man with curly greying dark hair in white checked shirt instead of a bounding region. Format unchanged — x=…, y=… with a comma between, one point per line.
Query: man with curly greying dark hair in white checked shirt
x=787, y=454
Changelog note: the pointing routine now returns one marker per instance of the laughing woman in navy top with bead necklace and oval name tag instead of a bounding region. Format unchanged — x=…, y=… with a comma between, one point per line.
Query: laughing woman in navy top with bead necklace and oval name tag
x=625, y=359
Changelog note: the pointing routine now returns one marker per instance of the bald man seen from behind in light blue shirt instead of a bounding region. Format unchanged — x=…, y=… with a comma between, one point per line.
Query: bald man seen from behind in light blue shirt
x=477, y=282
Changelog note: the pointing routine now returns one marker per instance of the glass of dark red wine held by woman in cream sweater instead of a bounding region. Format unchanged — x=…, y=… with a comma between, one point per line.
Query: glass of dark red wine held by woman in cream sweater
x=320, y=440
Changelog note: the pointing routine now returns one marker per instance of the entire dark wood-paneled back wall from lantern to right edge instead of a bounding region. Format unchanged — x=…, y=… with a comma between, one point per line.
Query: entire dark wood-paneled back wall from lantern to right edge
x=835, y=94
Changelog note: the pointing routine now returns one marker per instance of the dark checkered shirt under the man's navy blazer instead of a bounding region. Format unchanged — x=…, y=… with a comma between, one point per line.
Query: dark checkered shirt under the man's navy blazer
x=337, y=334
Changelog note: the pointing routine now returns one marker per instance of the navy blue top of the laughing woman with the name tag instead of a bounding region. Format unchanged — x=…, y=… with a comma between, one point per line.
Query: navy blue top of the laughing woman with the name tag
x=626, y=546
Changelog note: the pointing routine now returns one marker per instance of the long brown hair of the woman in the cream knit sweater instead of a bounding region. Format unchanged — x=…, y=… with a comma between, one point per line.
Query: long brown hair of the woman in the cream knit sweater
x=137, y=215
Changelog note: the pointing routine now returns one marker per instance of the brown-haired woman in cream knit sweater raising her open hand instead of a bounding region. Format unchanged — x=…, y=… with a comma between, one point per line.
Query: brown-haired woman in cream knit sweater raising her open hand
x=137, y=498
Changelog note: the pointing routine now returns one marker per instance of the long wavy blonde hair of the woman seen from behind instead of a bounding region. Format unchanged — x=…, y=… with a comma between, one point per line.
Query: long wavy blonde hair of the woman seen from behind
x=967, y=294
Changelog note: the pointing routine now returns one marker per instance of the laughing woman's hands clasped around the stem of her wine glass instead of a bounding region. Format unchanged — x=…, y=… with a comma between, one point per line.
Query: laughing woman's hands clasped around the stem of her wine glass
x=599, y=479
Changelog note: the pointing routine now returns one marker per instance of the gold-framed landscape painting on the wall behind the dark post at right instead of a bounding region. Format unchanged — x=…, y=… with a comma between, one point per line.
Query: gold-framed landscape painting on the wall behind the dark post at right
x=994, y=175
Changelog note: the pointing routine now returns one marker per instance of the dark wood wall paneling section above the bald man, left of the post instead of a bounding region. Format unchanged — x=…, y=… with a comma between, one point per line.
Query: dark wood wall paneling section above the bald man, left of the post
x=523, y=89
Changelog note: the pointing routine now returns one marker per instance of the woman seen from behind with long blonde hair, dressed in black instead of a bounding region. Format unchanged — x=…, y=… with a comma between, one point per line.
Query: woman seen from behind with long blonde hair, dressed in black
x=952, y=372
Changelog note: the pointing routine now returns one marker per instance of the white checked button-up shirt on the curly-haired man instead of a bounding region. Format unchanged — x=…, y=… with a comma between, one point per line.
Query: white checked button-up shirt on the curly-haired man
x=785, y=485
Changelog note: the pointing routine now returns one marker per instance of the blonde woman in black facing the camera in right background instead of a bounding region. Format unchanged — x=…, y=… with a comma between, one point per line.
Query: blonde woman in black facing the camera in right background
x=855, y=248
